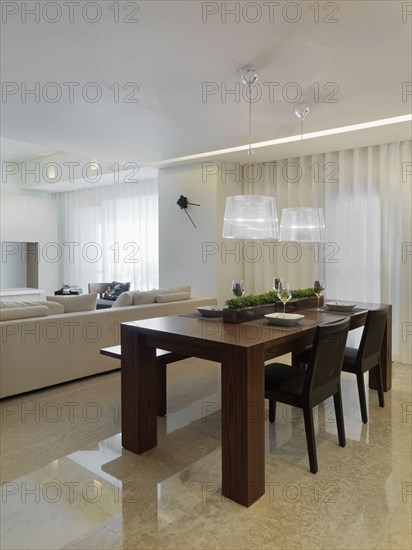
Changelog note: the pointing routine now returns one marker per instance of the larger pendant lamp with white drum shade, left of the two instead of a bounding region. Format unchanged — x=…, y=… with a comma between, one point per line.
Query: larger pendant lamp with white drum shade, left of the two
x=250, y=216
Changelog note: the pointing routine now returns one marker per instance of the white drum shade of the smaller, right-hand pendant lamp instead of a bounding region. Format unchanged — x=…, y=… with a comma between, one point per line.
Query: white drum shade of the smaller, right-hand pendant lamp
x=302, y=225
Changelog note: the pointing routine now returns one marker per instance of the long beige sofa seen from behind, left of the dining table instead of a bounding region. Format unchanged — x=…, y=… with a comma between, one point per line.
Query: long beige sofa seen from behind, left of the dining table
x=42, y=351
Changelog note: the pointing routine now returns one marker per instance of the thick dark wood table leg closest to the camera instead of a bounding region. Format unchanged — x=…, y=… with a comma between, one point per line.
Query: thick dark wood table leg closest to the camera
x=243, y=442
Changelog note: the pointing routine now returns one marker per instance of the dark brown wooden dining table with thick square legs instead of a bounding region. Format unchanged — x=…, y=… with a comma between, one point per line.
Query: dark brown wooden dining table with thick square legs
x=242, y=350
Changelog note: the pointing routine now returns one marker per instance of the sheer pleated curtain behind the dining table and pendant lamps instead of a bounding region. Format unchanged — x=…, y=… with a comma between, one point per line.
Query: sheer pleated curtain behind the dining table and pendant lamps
x=366, y=194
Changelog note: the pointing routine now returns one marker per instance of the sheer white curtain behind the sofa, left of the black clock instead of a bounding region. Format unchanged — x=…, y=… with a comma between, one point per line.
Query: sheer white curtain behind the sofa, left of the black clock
x=110, y=233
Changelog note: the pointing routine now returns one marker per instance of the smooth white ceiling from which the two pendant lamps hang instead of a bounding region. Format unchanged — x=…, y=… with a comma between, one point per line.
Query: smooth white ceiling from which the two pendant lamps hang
x=170, y=53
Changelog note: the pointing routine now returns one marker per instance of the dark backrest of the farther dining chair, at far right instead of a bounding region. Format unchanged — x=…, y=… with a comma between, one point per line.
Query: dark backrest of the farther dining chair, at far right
x=372, y=336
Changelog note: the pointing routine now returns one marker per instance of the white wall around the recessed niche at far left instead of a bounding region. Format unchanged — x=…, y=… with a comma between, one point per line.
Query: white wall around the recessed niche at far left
x=32, y=217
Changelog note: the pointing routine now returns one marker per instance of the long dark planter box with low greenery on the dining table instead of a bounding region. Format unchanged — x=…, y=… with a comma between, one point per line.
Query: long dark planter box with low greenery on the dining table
x=255, y=306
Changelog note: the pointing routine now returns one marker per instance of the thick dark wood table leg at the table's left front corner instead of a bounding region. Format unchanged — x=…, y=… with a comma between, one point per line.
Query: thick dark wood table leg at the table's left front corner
x=138, y=392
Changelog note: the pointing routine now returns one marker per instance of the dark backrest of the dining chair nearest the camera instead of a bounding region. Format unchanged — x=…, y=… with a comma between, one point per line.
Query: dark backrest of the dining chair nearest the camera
x=324, y=369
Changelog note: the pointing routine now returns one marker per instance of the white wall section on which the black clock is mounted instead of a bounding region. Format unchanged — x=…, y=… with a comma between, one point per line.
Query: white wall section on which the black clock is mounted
x=200, y=256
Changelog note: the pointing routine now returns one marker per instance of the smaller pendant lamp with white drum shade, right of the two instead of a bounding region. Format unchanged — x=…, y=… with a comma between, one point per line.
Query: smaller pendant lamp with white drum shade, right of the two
x=304, y=223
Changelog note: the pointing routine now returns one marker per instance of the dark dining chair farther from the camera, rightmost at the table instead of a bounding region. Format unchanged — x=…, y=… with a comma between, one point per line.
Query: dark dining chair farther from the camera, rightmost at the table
x=368, y=357
